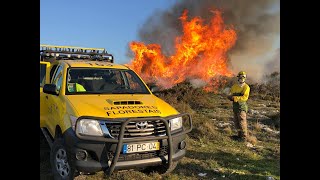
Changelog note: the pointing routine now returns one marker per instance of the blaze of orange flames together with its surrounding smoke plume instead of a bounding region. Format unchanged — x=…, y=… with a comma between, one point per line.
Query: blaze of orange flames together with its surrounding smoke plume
x=206, y=41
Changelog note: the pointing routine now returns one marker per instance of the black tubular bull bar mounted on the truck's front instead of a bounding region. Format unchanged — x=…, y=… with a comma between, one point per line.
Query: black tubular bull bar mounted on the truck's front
x=125, y=121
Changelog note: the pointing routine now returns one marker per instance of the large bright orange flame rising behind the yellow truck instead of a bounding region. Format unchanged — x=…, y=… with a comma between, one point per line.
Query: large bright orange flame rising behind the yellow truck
x=200, y=53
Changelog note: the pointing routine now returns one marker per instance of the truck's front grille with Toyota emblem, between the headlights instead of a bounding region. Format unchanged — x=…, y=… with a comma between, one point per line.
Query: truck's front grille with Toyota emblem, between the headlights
x=153, y=128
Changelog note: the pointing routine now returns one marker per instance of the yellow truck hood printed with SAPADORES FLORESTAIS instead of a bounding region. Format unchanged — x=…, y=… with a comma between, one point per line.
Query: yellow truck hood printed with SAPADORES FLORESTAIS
x=119, y=106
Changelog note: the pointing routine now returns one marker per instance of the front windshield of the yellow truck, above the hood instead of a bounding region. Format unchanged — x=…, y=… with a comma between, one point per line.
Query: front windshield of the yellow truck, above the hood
x=103, y=81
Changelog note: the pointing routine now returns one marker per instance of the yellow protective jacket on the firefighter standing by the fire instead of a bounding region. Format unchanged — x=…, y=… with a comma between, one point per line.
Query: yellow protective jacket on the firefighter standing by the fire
x=240, y=97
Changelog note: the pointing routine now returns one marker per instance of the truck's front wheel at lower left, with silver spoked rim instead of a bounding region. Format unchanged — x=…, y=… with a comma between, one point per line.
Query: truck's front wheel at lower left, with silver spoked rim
x=61, y=167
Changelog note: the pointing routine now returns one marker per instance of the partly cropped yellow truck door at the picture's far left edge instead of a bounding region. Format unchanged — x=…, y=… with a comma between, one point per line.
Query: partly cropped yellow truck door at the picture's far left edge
x=44, y=79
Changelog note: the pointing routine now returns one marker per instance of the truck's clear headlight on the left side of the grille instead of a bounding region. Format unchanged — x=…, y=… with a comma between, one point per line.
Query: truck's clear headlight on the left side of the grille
x=89, y=127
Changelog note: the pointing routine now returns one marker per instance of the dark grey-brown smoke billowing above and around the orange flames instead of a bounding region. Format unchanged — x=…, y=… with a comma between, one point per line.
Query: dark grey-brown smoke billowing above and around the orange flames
x=257, y=23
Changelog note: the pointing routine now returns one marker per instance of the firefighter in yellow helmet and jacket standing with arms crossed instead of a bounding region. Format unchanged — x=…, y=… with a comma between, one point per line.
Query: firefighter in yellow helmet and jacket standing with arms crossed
x=239, y=94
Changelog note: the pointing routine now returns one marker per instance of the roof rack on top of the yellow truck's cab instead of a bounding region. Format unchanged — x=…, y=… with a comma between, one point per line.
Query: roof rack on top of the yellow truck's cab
x=52, y=52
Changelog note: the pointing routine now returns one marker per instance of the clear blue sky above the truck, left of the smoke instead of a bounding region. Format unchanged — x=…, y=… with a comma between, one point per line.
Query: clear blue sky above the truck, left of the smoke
x=109, y=24
